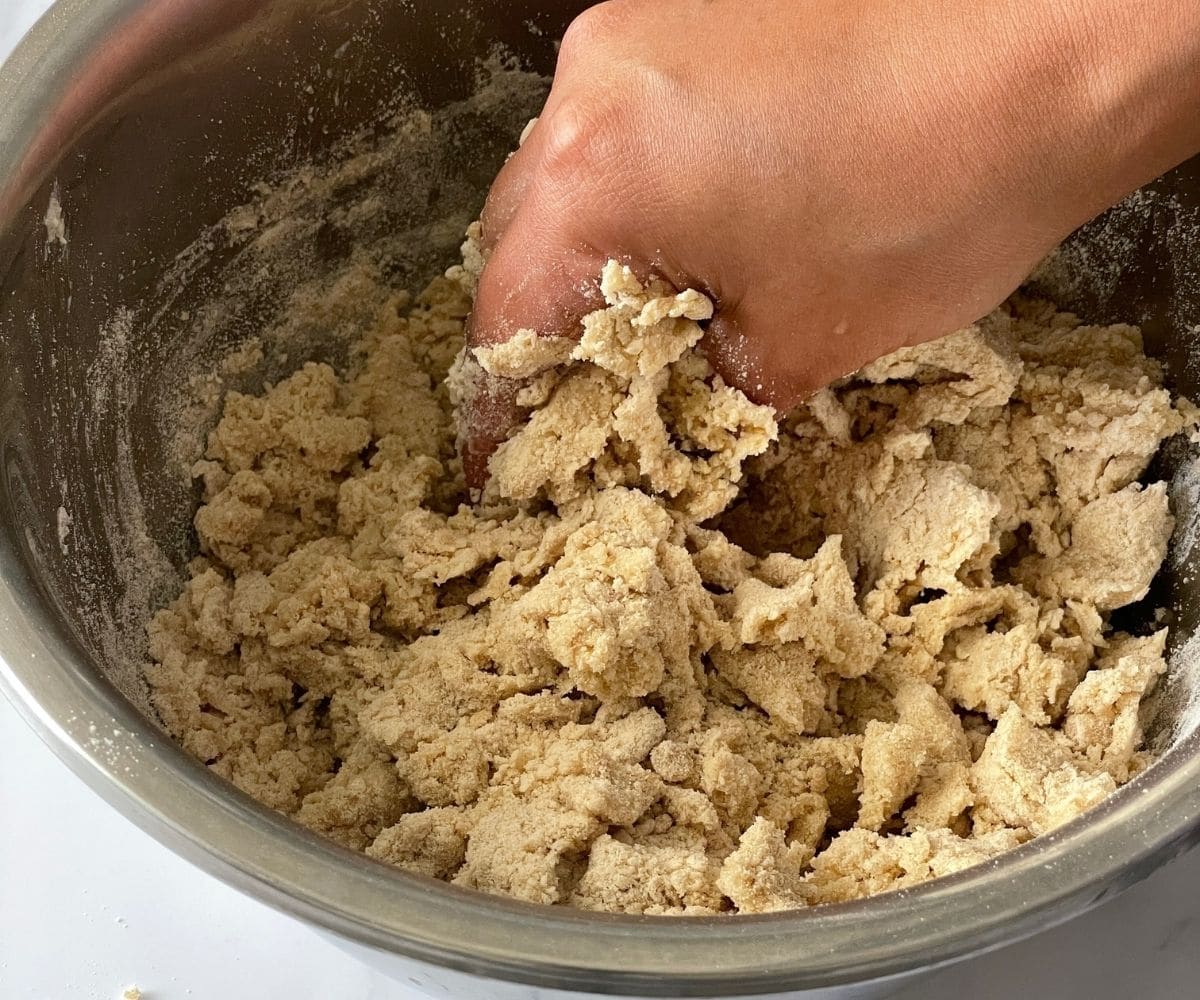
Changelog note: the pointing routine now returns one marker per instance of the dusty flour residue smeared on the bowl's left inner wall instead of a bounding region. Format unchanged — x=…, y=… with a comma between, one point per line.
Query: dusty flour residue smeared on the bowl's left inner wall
x=291, y=276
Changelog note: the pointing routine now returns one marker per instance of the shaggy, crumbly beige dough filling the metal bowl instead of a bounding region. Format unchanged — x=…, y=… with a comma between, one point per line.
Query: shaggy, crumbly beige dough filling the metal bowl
x=685, y=657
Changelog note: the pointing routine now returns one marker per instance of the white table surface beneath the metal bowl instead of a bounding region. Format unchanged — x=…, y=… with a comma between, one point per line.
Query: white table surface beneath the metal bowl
x=91, y=906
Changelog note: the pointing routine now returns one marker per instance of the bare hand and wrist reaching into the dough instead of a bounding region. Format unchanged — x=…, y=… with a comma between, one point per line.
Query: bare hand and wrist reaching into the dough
x=842, y=178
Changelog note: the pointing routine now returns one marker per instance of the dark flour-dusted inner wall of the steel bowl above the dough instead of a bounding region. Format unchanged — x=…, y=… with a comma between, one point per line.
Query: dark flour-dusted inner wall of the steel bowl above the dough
x=187, y=123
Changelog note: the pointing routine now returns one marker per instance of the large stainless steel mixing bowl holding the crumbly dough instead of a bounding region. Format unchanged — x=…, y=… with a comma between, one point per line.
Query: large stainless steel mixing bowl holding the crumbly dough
x=152, y=119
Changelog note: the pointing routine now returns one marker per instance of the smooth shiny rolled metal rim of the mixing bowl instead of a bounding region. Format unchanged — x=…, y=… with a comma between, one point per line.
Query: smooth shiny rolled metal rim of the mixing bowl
x=55, y=686
